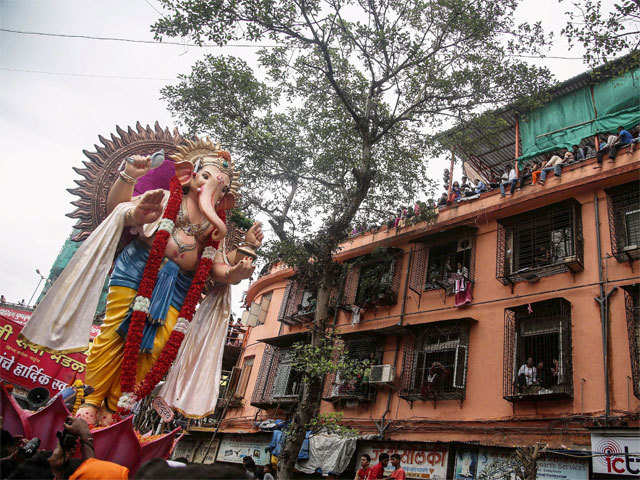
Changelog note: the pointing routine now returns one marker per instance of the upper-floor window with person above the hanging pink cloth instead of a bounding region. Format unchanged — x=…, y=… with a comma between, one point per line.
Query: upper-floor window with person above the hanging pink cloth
x=447, y=262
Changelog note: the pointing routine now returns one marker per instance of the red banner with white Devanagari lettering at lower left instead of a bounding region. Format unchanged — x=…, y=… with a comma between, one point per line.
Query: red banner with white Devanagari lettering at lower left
x=30, y=367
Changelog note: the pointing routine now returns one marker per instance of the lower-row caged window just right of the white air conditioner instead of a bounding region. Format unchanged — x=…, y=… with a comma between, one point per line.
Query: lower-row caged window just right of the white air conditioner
x=435, y=362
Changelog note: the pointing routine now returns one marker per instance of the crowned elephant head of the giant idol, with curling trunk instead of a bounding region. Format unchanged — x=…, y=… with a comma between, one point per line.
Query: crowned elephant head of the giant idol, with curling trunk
x=208, y=172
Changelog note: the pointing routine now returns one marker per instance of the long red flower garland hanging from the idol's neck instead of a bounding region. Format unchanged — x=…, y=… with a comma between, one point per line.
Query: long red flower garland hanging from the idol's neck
x=138, y=317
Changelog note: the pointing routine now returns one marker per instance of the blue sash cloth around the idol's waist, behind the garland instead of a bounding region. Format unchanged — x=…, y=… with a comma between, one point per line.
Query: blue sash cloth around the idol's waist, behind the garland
x=171, y=288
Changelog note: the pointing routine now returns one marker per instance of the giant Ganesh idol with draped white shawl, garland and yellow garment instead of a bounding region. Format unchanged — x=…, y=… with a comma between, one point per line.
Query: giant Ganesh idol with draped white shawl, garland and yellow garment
x=176, y=260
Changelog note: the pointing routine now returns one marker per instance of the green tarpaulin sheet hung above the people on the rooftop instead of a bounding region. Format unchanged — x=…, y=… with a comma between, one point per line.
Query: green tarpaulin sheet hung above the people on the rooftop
x=567, y=120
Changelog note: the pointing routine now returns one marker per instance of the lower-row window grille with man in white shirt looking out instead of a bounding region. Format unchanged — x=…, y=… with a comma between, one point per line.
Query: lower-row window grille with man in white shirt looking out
x=540, y=331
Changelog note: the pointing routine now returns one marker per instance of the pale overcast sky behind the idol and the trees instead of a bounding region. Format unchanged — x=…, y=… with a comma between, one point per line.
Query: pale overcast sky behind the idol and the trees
x=47, y=119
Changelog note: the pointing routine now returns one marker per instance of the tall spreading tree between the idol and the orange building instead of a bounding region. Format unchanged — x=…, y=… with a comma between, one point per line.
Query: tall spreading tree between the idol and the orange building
x=338, y=129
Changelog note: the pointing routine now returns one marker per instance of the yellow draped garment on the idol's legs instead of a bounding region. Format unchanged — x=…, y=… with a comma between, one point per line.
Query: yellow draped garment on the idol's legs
x=105, y=355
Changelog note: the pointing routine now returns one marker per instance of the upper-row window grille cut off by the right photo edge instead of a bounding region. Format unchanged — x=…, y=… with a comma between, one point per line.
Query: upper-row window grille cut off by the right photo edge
x=623, y=208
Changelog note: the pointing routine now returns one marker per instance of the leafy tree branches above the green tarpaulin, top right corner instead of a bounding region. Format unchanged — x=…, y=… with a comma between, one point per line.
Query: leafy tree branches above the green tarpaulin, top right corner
x=603, y=35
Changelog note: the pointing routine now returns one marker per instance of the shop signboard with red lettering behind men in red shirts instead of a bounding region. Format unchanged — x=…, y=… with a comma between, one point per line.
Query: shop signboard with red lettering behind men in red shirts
x=416, y=462
